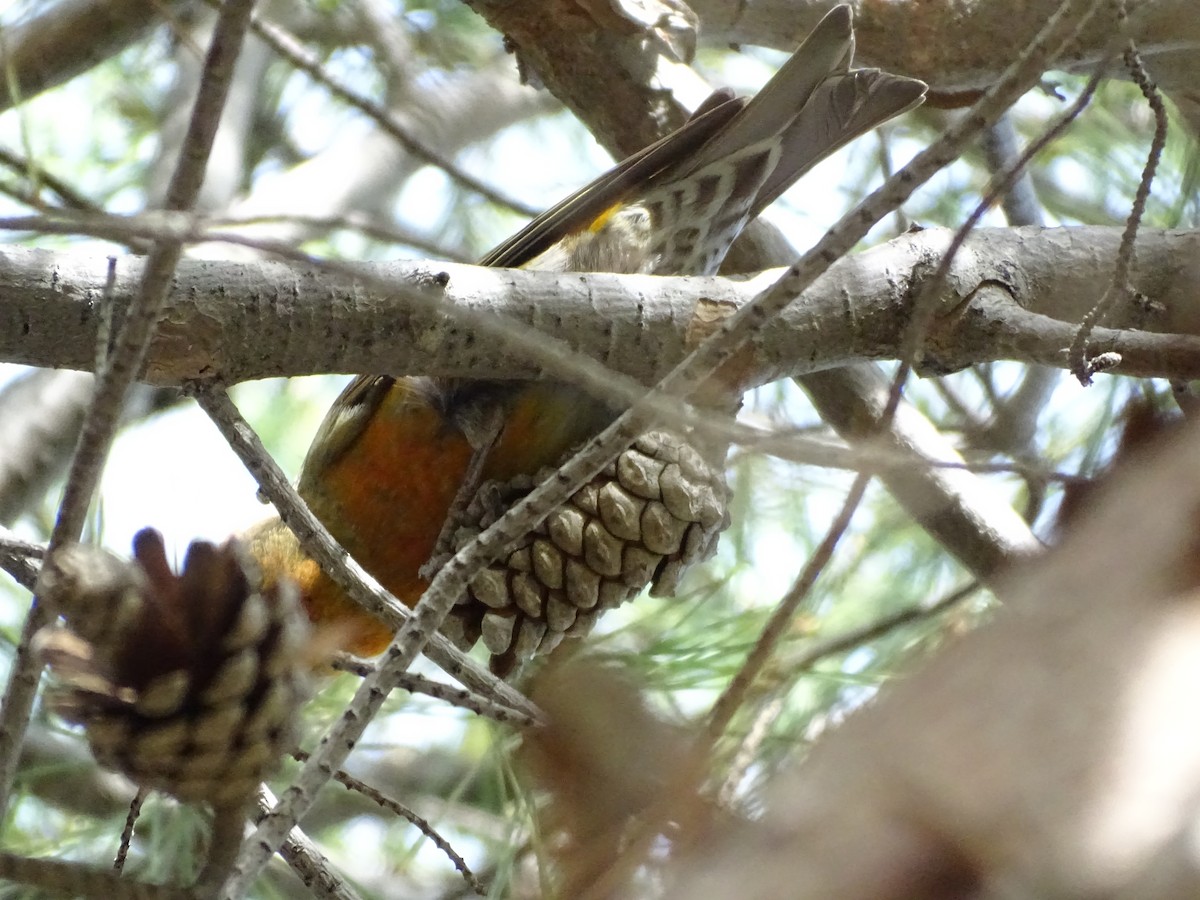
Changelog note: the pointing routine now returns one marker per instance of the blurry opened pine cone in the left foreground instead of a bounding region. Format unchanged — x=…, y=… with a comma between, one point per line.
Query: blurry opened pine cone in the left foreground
x=189, y=685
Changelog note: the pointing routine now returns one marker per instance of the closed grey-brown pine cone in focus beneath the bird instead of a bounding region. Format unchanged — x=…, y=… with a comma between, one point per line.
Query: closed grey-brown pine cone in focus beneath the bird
x=657, y=509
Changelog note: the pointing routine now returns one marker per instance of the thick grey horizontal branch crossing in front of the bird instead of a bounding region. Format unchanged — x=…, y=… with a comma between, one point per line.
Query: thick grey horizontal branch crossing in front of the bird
x=1012, y=295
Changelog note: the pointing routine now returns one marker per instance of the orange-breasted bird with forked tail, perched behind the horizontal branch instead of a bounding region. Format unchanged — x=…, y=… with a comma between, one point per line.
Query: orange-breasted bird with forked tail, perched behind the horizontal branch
x=392, y=454
